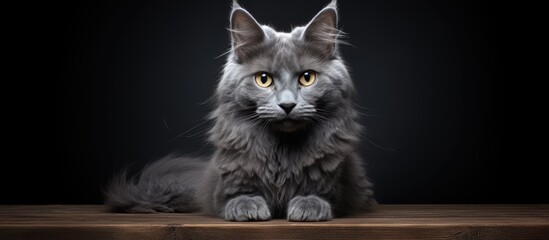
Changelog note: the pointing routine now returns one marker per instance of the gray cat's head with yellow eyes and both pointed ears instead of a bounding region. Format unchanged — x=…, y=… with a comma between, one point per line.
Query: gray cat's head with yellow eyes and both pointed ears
x=285, y=80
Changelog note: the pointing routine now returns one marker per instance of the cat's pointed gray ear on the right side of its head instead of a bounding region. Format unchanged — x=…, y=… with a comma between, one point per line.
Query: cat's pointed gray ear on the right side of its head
x=322, y=31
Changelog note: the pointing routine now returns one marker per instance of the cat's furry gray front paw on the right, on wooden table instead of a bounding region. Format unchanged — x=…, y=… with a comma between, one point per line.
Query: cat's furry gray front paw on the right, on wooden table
x=309, y=209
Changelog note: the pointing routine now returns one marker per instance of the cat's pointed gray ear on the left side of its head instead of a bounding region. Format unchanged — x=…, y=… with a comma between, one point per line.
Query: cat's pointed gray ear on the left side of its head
x=246, y=33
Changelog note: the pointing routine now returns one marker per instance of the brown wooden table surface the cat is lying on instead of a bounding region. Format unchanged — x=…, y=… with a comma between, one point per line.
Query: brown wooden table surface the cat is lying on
x=386, y=222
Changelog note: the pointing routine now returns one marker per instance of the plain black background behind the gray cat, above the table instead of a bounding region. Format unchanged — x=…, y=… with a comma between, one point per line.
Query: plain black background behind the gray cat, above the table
x=447, y=88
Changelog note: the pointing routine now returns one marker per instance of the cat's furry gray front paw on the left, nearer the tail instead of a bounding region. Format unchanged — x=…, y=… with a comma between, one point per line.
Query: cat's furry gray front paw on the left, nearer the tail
x=244, y=208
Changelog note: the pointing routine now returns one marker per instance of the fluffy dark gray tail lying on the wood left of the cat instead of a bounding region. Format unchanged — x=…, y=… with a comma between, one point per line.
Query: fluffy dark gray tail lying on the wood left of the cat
x=167, y=185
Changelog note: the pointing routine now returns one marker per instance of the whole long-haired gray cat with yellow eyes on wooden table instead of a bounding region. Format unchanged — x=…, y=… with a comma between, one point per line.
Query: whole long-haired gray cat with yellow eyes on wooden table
x=284, y=130
